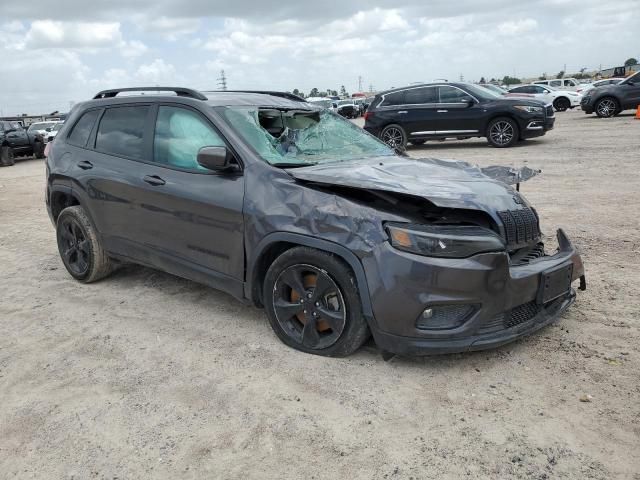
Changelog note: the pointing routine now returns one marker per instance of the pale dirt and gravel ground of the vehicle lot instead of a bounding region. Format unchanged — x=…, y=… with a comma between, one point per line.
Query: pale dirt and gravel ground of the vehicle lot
x=145, y=375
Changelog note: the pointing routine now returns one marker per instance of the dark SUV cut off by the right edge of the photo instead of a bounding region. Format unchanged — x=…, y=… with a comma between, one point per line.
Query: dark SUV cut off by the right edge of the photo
x=609, y=100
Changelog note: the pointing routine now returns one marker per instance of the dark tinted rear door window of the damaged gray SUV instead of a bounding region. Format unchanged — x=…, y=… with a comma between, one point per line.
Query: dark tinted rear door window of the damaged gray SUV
x=121, y=130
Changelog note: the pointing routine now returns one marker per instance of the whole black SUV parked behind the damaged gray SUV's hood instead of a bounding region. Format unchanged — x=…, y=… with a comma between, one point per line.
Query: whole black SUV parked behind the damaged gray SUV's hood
x=419, y=113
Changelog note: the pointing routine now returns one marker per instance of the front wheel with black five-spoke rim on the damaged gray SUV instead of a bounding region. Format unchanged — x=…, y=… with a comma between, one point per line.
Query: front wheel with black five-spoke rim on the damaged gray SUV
x=313, y=304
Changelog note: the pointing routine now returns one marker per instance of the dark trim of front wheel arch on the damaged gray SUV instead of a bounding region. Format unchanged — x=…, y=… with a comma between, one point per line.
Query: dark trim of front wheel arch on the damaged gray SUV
x=274, y=244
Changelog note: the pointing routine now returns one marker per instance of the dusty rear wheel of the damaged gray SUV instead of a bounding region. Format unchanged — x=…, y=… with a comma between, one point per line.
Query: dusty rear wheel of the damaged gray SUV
x=79, y=246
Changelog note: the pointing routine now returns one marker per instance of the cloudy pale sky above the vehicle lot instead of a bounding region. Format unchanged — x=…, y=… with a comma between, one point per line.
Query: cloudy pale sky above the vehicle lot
x=55, y=53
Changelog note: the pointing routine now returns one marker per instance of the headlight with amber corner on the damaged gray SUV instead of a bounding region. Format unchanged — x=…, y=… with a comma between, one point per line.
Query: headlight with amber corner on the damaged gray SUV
x=445, y=241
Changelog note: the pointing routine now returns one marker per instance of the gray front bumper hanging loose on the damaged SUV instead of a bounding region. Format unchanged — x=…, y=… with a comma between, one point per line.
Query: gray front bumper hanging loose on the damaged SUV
x=506, y=297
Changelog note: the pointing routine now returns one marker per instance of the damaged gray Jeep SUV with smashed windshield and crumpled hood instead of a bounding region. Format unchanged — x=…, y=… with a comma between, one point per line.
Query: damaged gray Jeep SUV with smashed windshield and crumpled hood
x=292, y=208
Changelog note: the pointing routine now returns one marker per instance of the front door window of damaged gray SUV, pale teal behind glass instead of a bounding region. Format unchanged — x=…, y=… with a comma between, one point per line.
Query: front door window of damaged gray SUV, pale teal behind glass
x=179, y=134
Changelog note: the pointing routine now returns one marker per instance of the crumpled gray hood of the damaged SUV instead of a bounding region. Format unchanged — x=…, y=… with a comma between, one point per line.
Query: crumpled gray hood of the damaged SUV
x=445, y=183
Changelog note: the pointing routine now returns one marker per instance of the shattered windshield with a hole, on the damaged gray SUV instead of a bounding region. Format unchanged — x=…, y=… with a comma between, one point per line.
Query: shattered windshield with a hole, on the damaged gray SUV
x=302, y=137
